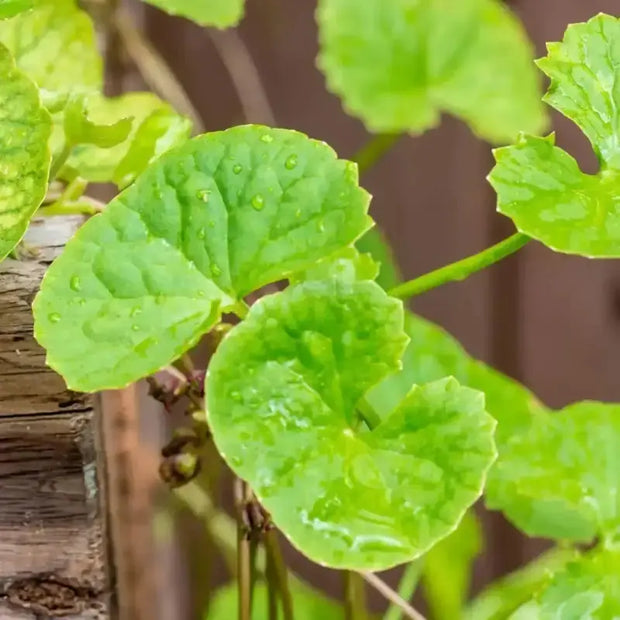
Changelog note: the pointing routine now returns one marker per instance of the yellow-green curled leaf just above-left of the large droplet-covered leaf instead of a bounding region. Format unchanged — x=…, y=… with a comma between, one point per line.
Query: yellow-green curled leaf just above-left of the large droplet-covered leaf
x=155, y=128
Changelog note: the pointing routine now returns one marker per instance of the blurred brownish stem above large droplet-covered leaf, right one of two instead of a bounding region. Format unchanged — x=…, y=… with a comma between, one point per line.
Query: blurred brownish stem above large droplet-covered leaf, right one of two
x=244, y=75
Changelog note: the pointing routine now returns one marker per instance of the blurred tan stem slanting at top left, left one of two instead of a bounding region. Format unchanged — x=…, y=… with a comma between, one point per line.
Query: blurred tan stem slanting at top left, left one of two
x=154, y=69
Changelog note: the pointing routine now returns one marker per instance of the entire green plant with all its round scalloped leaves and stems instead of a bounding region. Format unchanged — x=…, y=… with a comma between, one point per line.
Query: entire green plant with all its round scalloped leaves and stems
x=362, y=432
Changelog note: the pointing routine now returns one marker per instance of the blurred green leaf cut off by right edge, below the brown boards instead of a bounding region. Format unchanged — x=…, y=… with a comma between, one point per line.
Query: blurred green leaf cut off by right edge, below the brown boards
x=561, y=478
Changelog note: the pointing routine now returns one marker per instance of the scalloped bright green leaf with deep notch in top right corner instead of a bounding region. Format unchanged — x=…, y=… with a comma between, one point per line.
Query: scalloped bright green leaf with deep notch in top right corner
x=540, y=186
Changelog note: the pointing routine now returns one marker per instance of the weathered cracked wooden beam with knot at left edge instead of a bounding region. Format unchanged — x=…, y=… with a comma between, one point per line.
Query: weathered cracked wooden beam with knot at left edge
x=53, y=537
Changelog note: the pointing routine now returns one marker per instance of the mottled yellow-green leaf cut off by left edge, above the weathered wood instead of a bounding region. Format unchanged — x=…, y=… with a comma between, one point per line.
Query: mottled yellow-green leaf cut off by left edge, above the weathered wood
x=24, y=154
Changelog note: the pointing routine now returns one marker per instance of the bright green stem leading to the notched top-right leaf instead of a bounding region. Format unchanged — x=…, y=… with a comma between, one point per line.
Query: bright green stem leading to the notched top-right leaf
x=461, y=269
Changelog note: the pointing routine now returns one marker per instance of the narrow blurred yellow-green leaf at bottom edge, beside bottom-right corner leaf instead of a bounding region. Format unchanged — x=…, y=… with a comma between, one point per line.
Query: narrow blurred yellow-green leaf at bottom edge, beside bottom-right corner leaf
x=507, y=594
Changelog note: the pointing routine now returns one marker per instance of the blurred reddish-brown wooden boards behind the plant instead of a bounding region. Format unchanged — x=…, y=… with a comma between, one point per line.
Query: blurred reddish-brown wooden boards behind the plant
x=551, y=321
